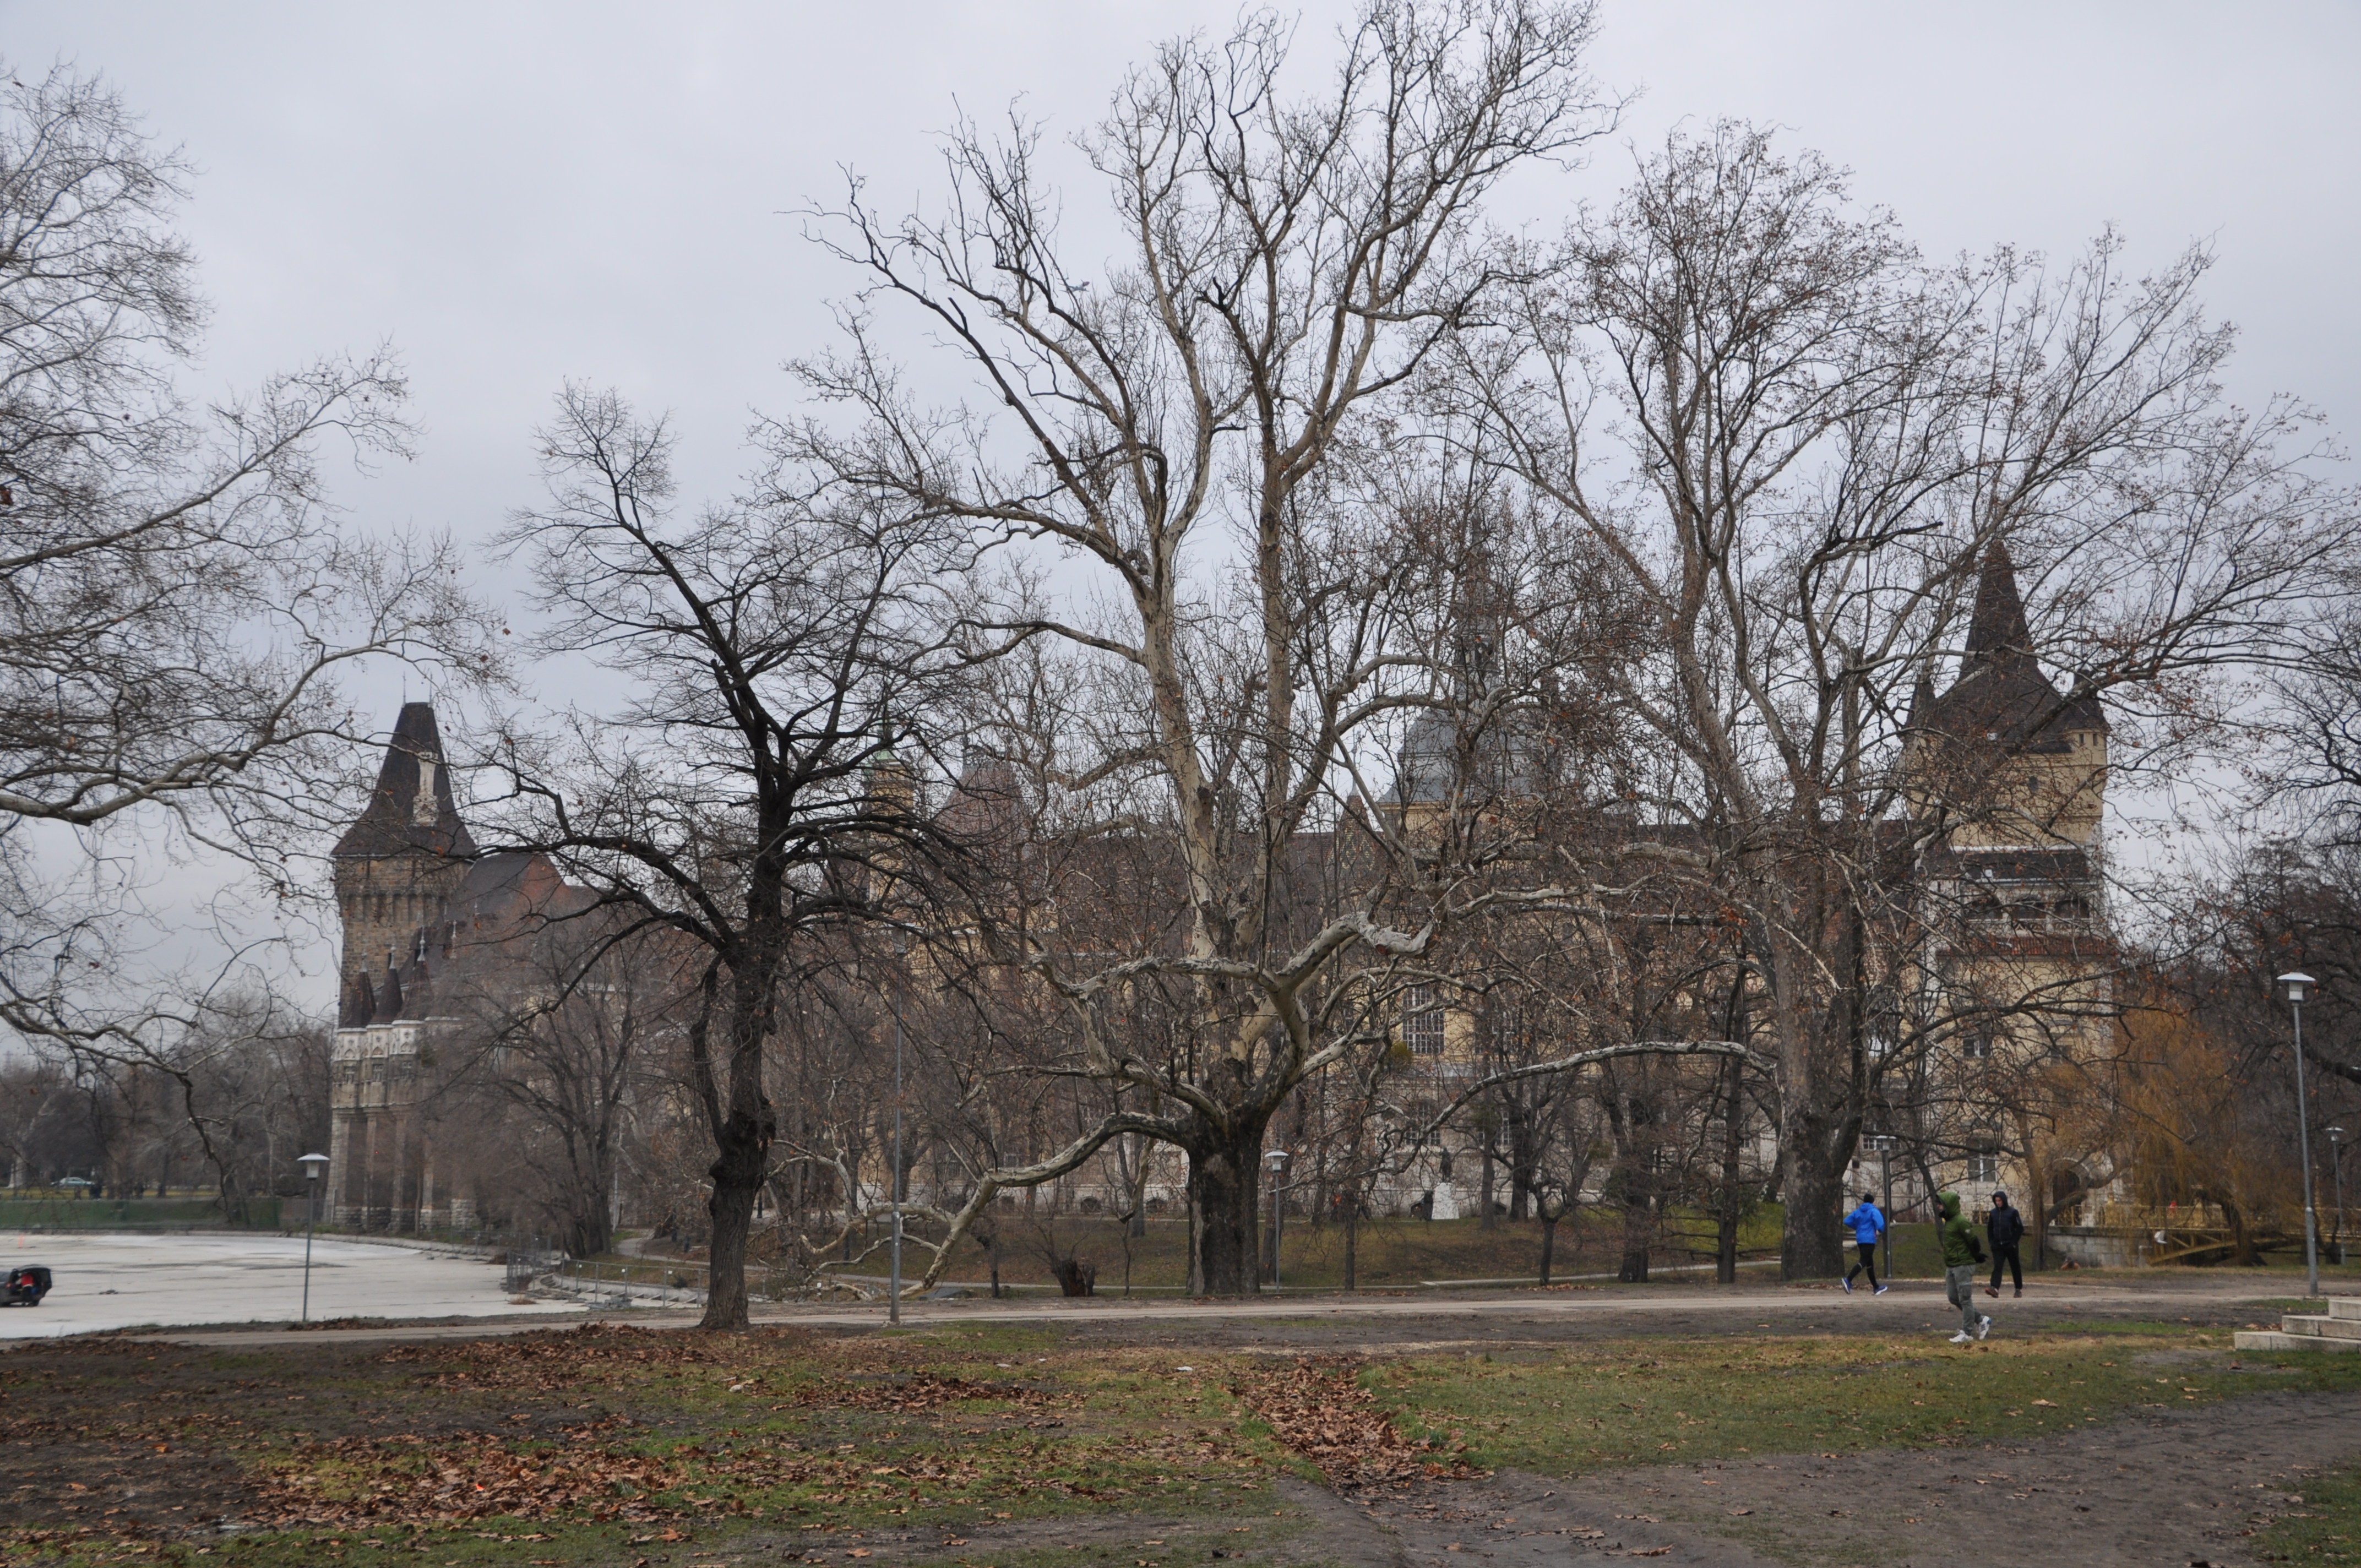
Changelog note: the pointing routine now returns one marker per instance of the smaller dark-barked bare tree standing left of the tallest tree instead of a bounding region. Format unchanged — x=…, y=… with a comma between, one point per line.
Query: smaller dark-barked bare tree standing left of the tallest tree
x=750, y=797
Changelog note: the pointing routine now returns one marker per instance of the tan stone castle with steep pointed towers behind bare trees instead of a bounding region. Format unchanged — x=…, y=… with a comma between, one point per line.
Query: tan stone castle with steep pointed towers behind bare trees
x=2006, y=962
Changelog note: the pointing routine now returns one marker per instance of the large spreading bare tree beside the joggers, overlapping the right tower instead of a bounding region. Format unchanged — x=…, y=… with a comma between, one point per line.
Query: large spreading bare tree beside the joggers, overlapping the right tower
x=1800, y=445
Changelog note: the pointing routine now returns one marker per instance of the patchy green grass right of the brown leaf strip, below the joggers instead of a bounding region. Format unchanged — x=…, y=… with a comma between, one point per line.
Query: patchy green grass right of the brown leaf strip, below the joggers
x=1644, y=1402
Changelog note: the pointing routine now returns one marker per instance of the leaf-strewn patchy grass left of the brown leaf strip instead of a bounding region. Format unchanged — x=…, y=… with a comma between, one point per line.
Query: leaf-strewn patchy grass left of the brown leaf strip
x=606, y=1444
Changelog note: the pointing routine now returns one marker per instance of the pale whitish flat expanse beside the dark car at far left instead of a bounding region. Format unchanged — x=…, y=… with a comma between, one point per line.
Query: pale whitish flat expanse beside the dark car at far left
x=112, y=1281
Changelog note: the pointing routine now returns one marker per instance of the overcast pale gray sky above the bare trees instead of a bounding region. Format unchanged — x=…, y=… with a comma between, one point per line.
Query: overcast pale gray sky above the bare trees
x=521, y=195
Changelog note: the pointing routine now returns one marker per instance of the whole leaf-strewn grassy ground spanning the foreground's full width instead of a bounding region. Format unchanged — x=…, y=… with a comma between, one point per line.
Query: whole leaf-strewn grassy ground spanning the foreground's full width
x=1012, y=1446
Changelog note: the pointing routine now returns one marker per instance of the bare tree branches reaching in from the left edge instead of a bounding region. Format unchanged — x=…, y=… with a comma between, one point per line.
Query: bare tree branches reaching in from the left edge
x=176, y=594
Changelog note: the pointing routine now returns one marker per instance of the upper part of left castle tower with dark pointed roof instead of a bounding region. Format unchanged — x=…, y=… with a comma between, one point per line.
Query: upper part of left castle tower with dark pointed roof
x=405, y=856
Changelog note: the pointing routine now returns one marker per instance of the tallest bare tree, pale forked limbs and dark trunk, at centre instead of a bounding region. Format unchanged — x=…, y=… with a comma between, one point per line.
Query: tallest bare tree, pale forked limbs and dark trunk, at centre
x=1196, y=438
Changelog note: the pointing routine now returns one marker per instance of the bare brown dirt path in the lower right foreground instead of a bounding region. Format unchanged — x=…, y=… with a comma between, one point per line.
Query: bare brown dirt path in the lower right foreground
x=2150, y=1491
